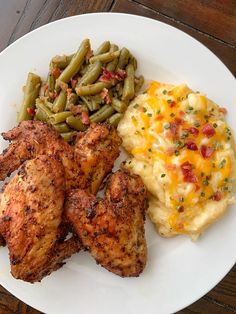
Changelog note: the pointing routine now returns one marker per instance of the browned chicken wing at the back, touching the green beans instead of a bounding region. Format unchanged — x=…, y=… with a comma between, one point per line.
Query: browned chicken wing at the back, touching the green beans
x=86, y=164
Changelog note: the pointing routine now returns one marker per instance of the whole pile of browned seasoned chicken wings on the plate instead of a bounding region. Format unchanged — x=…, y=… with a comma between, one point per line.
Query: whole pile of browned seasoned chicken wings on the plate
x=33, y=222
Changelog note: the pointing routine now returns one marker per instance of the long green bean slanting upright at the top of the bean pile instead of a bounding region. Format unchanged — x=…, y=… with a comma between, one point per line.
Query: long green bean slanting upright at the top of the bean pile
x=75, y=63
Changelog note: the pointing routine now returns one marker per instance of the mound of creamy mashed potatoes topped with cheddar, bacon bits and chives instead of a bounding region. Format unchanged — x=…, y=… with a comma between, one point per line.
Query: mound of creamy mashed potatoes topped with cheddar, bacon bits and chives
x=183, y=149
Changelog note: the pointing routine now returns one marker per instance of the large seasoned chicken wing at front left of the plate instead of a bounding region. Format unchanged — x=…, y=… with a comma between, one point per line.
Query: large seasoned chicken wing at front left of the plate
x=31, y=207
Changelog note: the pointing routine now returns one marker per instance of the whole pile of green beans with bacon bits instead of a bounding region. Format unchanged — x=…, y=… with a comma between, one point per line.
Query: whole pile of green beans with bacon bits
x=82, y=88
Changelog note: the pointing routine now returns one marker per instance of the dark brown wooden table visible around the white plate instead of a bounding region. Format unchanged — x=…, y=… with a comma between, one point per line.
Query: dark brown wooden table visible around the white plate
x=212, y=22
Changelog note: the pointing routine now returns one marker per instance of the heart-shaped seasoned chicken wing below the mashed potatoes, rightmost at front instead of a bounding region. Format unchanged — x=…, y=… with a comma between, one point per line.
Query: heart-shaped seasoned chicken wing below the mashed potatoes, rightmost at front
x=112, y=229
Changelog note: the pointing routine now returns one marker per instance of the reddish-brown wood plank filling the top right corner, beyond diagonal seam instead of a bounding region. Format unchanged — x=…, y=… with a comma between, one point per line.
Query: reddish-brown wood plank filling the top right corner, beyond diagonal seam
x=215, y=17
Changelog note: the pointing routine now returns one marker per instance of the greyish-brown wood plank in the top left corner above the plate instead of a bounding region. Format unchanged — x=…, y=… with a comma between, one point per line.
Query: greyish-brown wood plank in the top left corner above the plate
x=35, y=13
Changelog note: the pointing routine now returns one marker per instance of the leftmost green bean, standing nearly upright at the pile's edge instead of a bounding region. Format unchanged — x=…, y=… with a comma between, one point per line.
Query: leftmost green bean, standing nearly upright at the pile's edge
x=31, y=92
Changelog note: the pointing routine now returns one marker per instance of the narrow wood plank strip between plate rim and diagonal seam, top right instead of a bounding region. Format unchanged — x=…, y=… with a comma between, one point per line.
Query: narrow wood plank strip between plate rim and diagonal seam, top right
x=225, y=52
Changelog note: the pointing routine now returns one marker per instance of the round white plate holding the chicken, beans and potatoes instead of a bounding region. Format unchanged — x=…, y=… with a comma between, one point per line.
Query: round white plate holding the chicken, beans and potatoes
x=179, y=271
